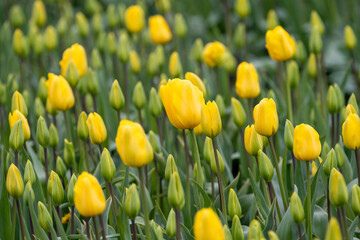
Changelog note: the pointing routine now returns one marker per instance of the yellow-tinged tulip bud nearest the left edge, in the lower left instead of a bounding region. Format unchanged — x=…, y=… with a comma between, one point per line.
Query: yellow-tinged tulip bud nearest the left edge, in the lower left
x=14, y=182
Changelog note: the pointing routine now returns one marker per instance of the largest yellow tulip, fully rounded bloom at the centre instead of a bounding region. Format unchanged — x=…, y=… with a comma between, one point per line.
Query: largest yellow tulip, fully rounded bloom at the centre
x=182, y=102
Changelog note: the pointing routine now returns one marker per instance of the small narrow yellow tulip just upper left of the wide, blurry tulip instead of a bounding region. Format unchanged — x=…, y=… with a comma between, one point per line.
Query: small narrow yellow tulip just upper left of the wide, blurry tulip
x=97, y=129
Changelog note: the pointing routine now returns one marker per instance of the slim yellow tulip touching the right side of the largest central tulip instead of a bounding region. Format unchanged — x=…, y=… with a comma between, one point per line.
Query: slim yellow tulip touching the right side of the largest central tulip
x=210, y=119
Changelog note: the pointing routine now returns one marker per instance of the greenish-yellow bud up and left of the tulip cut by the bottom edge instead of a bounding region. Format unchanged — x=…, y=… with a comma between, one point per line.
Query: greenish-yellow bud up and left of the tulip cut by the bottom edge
x=176, y=192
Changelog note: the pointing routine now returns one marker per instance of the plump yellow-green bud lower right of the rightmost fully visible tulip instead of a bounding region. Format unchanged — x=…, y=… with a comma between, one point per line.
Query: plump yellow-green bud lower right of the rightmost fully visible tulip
x=337, y=189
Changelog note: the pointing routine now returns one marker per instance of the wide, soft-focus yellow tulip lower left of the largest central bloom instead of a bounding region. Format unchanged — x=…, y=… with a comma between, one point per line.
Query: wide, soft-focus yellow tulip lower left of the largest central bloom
x=132, y=144
